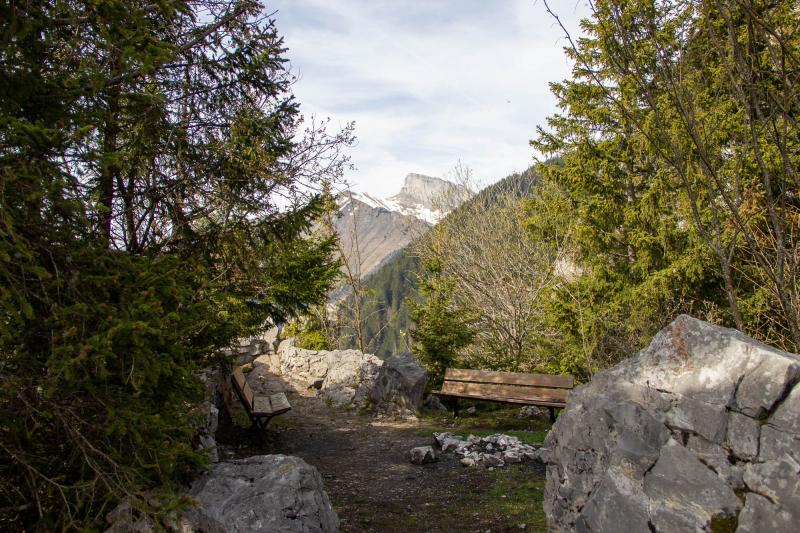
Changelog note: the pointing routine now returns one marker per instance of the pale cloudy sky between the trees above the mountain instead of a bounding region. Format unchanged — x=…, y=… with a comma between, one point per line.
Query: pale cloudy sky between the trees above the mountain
x=428, y=82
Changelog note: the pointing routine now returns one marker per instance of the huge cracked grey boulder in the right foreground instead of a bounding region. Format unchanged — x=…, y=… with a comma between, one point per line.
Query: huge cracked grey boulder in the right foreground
x=698, y=432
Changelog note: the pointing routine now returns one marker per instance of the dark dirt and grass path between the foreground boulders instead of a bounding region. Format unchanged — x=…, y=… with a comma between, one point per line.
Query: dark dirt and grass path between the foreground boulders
x=374, y=487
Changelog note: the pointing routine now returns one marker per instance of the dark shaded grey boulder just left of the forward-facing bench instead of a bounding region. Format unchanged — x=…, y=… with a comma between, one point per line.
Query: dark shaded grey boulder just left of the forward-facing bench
x=400, y=385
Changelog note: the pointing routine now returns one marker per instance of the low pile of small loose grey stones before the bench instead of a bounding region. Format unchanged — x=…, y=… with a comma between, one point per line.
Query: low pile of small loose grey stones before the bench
x=491, y=452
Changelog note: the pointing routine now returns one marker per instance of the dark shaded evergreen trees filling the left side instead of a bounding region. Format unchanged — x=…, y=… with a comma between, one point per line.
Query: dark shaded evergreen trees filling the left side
x=142, y=150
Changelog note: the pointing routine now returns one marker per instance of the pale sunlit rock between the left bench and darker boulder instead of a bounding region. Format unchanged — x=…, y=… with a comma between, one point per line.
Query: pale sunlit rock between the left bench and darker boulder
x=342, y=376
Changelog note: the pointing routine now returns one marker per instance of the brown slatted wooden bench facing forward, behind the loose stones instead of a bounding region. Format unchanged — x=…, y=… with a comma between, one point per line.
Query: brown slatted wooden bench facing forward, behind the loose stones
x=507, y=387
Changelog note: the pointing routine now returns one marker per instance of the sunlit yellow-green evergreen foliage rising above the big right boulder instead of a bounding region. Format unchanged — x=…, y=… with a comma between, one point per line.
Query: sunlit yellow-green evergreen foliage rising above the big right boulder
x=676, y=207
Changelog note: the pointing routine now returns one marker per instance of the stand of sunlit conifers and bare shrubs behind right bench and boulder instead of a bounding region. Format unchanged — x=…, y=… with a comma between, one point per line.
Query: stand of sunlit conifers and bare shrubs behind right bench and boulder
x=674, y=190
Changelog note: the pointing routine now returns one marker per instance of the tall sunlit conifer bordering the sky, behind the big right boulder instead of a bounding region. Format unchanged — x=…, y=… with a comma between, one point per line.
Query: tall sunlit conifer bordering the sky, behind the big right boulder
x=639, y=258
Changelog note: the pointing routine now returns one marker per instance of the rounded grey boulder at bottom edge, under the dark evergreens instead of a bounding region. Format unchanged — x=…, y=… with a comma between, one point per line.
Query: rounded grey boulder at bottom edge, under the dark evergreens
x=264, y=493
